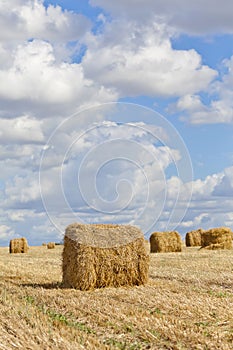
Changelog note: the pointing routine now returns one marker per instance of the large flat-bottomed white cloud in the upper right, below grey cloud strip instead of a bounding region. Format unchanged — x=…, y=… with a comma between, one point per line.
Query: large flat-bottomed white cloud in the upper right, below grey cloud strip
x=138, y=59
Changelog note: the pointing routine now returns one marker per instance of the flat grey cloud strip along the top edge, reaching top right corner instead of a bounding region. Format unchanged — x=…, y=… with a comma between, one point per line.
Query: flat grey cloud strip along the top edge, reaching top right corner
x=196, y=17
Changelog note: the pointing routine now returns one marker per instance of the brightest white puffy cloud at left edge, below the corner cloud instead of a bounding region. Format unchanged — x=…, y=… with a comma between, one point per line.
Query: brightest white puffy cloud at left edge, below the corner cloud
x=35, y=75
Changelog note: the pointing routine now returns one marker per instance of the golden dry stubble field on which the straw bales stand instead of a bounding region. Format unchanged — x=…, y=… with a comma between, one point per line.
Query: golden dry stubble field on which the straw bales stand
x=187, y=304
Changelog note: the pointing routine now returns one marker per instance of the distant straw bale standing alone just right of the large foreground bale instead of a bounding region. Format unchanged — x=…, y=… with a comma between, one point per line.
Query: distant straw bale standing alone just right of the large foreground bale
x=165, y=242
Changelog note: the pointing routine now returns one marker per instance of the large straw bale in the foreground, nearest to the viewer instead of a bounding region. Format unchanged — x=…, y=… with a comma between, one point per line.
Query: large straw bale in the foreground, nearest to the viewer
x=97, y=256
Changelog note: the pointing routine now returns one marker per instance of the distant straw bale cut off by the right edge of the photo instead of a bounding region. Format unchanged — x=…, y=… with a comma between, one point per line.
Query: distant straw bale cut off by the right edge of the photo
x=217, y=238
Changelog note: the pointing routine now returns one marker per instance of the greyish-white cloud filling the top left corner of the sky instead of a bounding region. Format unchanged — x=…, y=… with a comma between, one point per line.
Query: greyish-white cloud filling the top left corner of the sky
x=23, y=20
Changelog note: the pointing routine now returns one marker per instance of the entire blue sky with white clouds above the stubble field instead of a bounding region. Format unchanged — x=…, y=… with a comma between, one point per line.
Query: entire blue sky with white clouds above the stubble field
x=115, y=112
